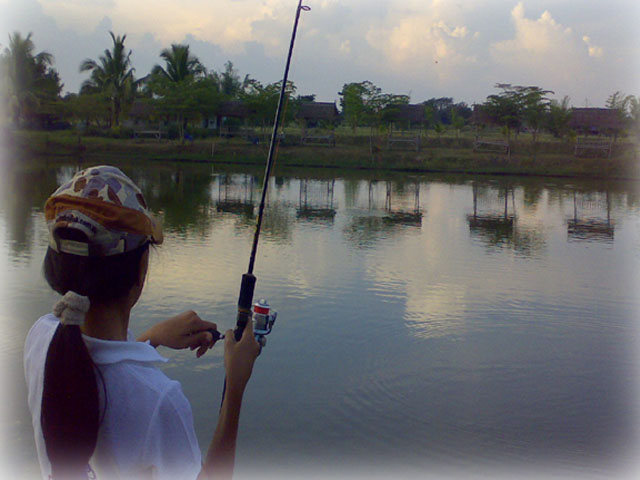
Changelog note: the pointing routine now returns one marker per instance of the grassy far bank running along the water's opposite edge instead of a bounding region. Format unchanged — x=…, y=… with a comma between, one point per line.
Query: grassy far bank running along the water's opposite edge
x=547, y=157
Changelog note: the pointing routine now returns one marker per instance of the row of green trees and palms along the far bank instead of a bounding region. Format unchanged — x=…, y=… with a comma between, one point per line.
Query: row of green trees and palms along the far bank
x=185, y=92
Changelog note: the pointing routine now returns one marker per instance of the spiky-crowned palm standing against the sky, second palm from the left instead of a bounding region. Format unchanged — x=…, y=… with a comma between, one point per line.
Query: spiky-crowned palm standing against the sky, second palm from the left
x=111, y=75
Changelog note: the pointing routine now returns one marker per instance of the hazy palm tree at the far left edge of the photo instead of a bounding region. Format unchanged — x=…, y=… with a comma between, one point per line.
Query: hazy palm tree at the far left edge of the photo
x=22, y=74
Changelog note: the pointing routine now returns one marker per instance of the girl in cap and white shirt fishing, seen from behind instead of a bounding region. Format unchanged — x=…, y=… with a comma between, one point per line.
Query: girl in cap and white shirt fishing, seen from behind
x=99, y=404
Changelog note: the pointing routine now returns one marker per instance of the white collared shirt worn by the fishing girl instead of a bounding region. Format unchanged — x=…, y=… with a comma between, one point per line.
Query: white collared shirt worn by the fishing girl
x=147, y=430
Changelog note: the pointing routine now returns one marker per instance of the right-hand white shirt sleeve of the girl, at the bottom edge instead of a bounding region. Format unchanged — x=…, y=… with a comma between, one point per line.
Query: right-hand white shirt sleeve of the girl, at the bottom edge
x=170, y=446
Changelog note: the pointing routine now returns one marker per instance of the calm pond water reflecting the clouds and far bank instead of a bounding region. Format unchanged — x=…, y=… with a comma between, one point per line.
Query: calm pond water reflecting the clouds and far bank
x=427, y=325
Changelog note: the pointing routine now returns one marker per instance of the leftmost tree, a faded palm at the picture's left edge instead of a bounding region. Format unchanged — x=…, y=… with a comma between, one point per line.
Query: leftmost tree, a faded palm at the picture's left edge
x=30, y=86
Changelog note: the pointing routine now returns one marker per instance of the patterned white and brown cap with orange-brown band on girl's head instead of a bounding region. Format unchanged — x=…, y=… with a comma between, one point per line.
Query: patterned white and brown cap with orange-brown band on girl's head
x=105, y=205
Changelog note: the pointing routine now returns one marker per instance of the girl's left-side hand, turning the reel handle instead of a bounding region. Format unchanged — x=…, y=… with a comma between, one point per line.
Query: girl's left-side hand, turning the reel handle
x=184, y=330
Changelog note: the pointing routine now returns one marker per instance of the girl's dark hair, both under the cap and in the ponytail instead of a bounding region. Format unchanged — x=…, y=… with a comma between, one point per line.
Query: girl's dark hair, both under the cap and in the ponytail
x=70, y=415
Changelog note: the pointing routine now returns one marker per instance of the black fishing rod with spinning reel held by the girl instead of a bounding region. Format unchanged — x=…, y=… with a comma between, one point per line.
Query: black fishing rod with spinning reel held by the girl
x=248, y=283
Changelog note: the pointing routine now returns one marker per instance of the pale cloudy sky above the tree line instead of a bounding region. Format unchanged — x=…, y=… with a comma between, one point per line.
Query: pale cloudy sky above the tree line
x=584, y=49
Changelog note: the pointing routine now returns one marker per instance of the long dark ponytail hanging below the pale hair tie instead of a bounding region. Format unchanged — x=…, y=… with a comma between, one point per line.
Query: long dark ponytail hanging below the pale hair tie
x=70, y=413
